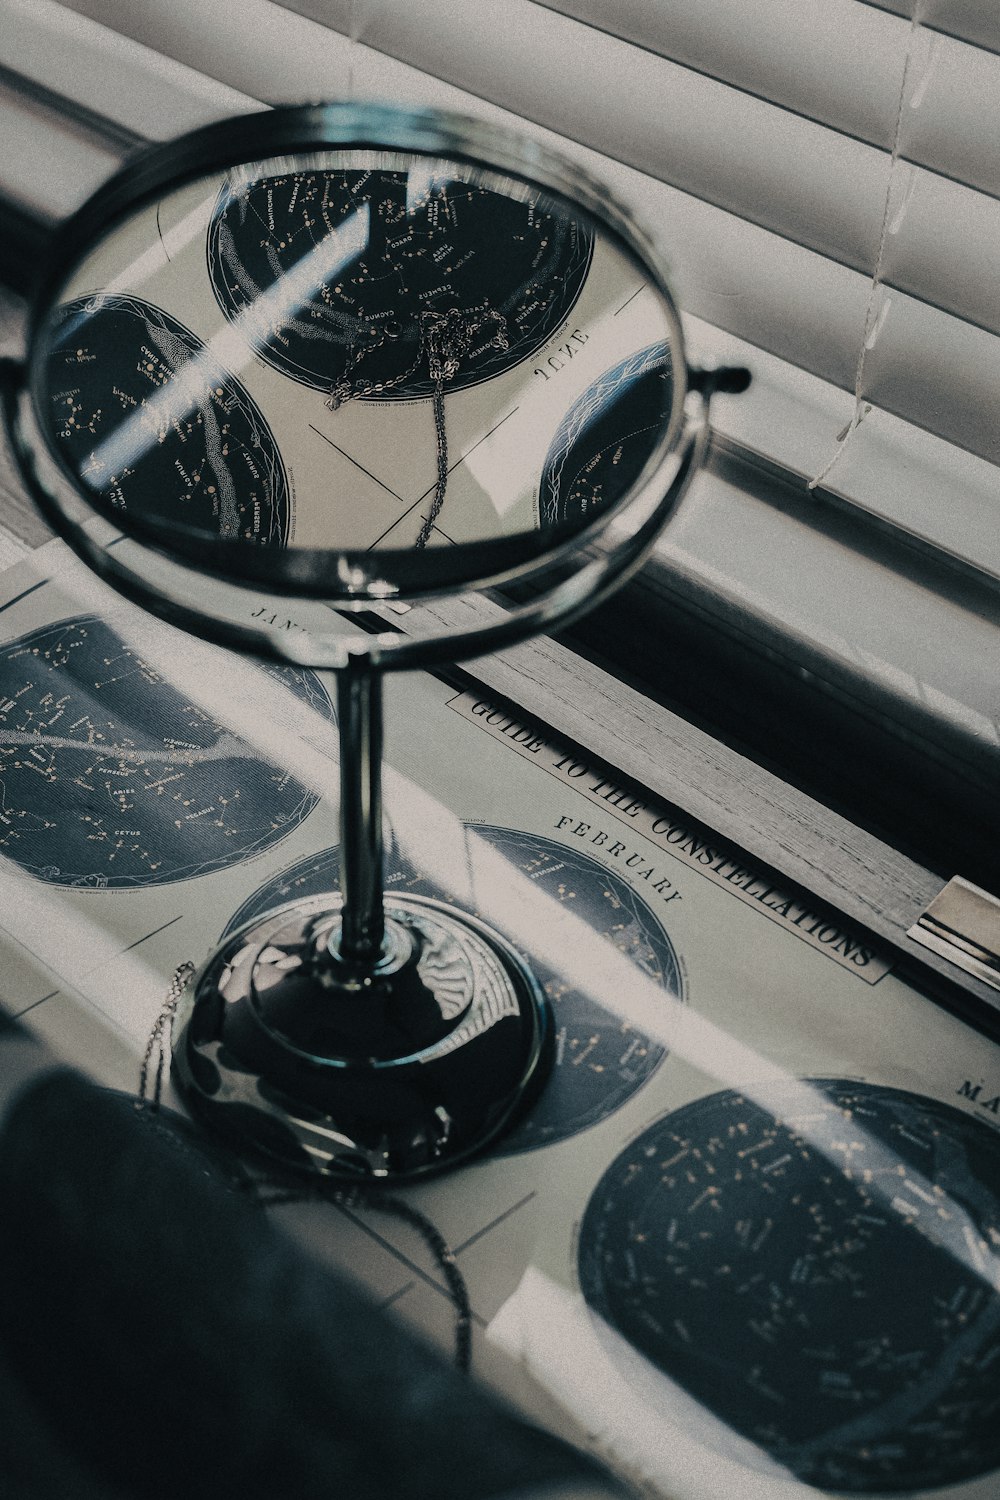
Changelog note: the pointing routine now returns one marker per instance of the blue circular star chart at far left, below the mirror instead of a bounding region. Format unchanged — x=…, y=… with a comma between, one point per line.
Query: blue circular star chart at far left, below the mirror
x=112, y=778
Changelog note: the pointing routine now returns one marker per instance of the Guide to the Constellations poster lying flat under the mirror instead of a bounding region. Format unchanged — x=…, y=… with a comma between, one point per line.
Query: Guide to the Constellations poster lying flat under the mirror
x=749, y=1238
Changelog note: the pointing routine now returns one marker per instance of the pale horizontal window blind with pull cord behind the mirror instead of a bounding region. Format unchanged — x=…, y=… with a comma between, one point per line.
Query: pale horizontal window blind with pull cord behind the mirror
x=891, y=634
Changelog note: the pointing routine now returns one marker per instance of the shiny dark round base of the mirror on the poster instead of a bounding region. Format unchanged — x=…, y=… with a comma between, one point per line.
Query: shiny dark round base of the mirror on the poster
x=391, y=1075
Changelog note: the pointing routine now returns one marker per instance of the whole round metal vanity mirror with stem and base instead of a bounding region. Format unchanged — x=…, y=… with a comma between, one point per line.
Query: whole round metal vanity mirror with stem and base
x=359, y=356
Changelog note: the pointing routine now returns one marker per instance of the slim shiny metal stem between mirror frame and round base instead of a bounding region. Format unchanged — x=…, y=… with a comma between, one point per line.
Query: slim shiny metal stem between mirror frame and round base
x=361, y=727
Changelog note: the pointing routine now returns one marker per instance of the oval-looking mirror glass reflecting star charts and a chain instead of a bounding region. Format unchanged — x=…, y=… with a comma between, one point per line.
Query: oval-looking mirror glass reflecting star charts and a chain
x=355, y=350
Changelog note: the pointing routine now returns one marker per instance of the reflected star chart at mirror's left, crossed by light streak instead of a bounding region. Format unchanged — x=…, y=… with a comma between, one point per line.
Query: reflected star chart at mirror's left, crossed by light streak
x=146, y=416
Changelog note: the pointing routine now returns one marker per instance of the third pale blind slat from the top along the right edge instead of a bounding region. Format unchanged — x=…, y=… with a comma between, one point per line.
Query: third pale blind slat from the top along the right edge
x=786, y=173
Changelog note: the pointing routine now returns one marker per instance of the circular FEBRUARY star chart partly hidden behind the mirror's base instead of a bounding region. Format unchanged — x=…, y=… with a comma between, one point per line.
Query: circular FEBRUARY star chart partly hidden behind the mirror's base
x=600, y=1060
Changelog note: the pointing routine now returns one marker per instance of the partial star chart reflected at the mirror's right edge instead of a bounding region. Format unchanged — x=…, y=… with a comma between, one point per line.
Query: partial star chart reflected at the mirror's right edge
x=606, y=437
